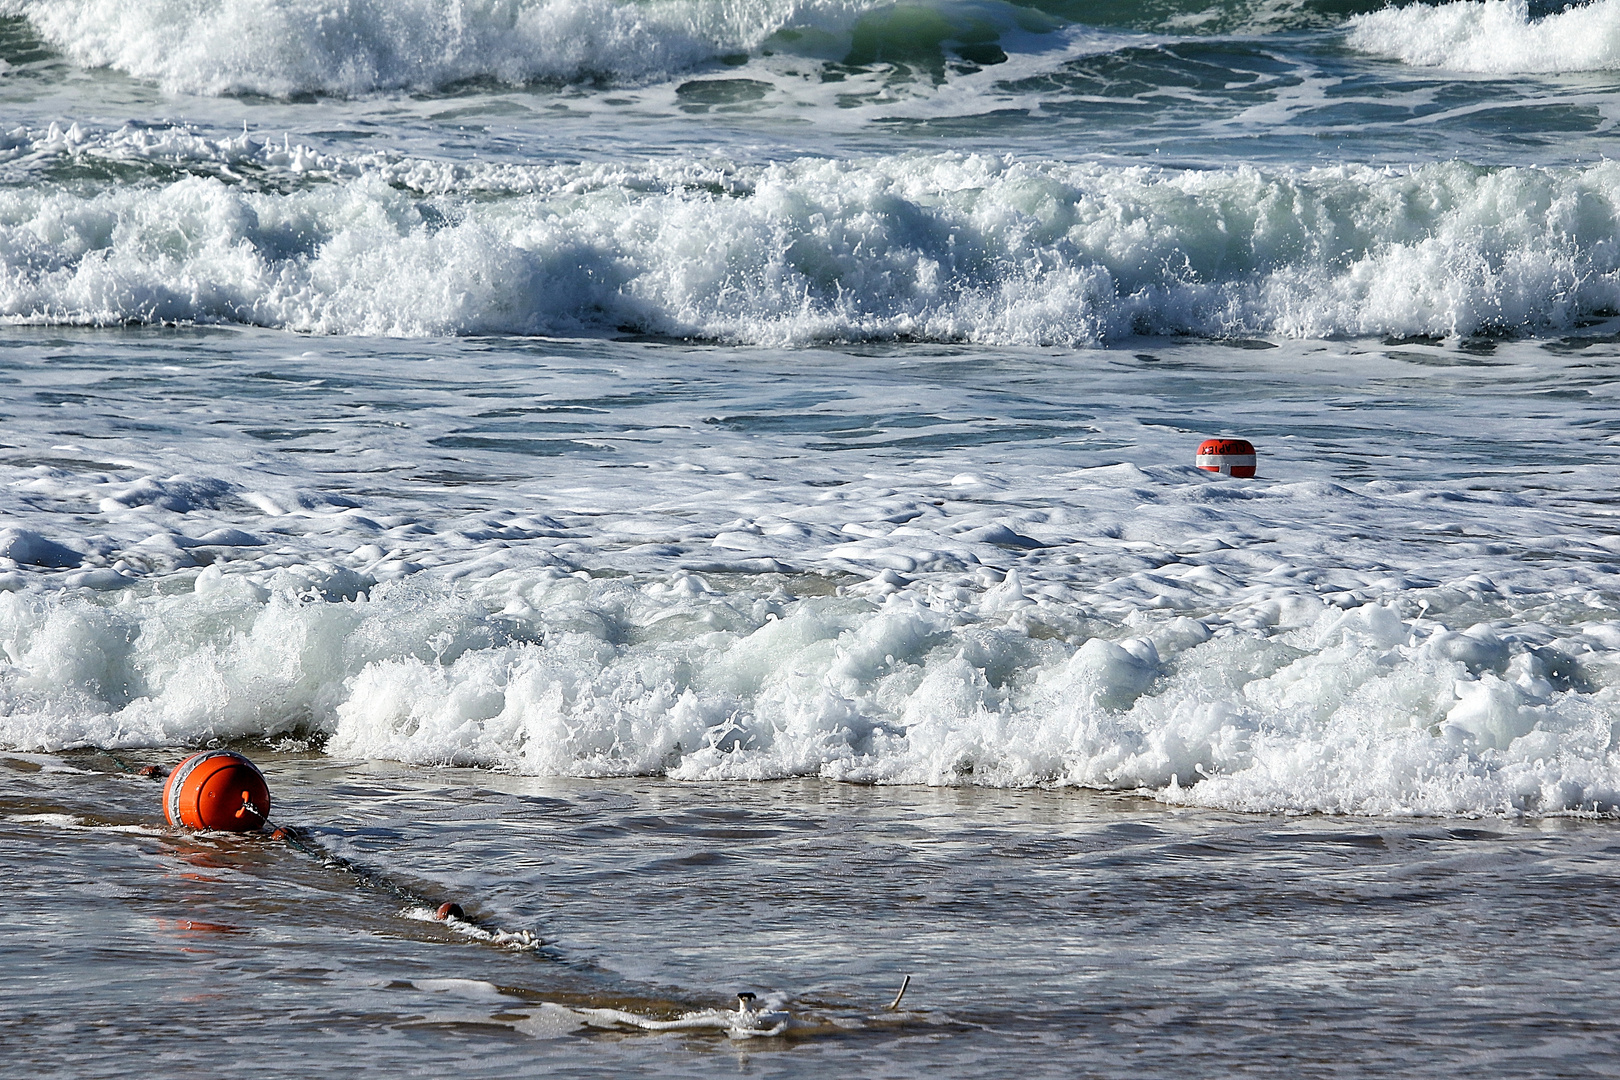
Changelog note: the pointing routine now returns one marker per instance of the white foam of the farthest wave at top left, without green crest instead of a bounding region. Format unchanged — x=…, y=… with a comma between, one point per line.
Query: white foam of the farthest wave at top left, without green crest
x=360, y=46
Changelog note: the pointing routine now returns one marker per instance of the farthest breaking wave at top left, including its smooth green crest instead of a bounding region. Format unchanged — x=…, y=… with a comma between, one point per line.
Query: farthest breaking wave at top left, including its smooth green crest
x=354, y=48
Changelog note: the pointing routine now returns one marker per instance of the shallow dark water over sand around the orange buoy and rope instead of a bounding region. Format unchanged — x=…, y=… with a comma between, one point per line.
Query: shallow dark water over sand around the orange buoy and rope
x=1046, y=932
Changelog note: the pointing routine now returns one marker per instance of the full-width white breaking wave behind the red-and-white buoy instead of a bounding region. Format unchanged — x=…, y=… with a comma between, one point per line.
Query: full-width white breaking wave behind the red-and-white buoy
x=921, y=247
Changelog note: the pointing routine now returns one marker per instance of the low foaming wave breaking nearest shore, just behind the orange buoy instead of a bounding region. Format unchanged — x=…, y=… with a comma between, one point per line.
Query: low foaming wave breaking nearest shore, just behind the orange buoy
x=1344, y=712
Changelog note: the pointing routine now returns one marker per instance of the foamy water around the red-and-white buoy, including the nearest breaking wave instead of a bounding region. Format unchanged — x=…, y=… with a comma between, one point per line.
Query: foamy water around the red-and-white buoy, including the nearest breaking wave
x=639, y=571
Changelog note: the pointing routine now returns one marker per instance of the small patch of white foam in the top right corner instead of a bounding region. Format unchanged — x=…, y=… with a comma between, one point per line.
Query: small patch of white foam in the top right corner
x=1494, y=36
